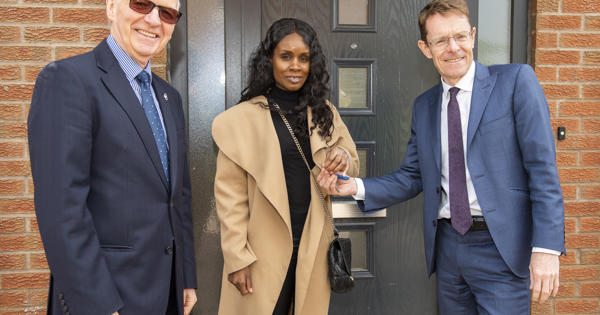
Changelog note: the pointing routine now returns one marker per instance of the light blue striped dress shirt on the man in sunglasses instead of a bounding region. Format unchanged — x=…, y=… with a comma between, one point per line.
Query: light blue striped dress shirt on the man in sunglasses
x=131, y=70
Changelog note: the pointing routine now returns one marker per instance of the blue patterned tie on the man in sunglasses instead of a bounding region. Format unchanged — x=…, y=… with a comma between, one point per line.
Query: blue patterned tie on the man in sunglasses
x=154, y=120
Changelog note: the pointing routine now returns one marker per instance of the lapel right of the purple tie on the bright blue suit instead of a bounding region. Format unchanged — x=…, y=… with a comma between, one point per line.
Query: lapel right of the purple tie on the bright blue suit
x=482, y=89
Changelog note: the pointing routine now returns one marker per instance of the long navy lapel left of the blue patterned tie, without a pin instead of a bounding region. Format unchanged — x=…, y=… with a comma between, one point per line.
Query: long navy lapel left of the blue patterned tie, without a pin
x=115, y=81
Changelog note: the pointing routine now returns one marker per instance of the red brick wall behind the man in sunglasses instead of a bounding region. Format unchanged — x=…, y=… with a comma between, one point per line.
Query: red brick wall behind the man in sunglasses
x=33, y=33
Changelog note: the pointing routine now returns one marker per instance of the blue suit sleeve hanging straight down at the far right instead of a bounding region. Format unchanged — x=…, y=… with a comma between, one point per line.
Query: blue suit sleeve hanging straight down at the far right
x=536, y=140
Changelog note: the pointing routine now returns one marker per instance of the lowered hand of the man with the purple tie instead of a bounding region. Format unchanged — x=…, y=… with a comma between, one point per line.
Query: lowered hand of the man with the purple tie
x=543, y=270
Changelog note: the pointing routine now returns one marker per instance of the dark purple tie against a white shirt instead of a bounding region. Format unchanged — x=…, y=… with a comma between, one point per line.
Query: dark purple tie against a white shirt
x=460, y=213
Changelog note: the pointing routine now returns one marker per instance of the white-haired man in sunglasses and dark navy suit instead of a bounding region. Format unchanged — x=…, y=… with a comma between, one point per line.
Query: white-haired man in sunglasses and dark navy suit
x=108, y=155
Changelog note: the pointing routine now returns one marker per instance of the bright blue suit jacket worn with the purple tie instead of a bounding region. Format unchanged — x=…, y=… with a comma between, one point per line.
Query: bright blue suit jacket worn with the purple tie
x=510, y=156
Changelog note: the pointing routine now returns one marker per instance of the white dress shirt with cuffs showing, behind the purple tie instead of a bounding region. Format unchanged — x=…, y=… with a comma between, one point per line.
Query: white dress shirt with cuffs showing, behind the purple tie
x=465, y=84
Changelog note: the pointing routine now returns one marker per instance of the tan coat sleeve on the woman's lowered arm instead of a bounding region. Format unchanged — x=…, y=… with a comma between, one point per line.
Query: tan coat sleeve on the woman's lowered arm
x=231, y=195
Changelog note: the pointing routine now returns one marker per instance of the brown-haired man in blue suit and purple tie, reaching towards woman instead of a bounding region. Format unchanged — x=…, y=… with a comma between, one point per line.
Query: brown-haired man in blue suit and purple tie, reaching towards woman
x=482, y=152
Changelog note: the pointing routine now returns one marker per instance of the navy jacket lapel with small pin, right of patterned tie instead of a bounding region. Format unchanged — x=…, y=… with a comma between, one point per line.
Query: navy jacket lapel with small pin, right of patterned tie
x=166, y=108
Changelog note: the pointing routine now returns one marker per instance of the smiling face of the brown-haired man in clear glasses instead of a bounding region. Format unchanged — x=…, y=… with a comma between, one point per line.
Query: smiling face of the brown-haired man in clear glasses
x=453, y=60
